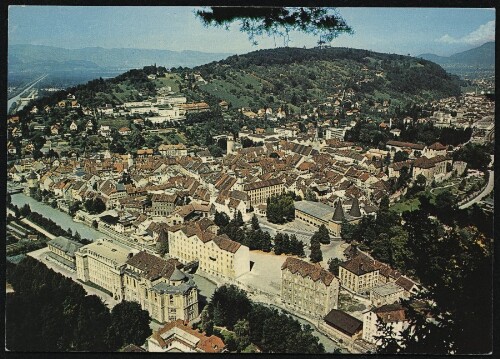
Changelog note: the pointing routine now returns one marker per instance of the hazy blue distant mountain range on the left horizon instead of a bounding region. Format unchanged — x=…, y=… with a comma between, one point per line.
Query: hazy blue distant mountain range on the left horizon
x=36, y=58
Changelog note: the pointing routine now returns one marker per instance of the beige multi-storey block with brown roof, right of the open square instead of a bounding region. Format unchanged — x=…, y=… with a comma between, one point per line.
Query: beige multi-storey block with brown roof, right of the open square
x=308, y=288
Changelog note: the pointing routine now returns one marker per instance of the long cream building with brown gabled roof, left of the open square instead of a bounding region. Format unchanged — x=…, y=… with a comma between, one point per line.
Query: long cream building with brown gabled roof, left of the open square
x=217, y=254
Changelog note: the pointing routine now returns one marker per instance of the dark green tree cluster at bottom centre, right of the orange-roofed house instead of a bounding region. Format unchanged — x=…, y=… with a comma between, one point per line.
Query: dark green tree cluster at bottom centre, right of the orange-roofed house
x=270, y=330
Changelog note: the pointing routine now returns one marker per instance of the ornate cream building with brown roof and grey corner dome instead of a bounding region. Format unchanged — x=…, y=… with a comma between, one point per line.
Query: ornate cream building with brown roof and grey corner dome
x=160, y=287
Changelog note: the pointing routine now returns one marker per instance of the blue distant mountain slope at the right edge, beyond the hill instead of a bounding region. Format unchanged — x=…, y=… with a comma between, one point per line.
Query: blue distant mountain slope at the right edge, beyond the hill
x=479, y=58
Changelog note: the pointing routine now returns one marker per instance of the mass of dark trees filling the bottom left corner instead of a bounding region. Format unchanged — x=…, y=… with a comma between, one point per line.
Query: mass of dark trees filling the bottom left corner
x=60, y=316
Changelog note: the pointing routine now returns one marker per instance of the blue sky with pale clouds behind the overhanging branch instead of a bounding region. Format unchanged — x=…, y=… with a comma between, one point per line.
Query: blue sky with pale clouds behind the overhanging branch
x=442, y=31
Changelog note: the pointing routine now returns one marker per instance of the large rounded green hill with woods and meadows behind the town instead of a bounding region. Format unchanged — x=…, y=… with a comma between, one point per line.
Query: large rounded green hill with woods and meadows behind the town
x=303, y=77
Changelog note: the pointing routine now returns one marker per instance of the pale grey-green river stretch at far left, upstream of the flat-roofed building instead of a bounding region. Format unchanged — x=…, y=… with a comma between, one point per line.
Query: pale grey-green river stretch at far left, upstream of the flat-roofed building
x=62, y=219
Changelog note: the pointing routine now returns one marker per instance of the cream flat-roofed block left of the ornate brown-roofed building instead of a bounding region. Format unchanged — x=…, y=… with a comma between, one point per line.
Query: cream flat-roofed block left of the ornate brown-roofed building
x=102, y=262
